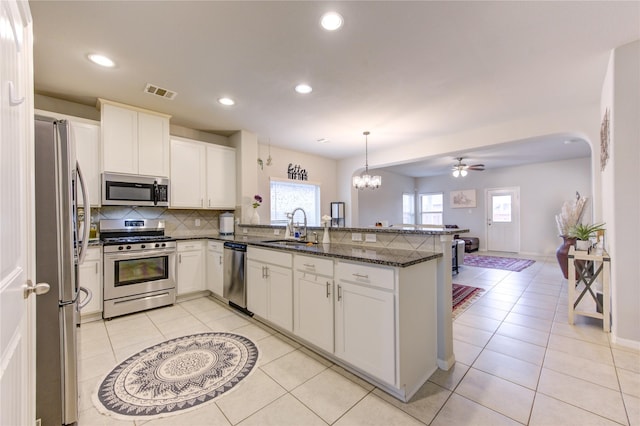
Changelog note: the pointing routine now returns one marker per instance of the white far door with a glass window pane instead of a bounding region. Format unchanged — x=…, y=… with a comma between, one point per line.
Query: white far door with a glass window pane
x=503, y=219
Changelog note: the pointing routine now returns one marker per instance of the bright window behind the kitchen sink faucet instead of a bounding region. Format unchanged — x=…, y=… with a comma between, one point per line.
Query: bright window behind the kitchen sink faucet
x=288, y=195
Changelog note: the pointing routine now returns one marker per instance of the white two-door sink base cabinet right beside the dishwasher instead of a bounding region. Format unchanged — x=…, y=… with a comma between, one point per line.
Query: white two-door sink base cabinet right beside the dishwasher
x=270, y=286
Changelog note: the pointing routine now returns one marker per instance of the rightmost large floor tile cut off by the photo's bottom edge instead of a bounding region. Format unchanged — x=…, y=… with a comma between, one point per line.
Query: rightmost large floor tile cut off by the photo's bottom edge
x=549, y=411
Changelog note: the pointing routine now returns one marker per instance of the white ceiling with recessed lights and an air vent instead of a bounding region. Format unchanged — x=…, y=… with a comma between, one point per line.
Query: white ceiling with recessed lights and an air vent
x=406, y=71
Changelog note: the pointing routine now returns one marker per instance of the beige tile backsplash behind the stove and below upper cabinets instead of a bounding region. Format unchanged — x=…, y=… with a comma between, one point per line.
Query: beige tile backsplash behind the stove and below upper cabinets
x=177, y=221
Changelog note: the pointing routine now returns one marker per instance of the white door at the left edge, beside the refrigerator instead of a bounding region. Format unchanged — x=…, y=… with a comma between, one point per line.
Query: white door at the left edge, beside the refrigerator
x=17, y=313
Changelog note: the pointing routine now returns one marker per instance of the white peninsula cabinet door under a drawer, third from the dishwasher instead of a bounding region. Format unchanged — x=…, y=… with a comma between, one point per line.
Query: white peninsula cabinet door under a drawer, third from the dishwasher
x=313, y=309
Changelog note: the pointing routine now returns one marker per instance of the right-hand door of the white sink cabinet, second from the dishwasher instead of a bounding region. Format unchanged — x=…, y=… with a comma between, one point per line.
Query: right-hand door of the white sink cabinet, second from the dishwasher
x=280, y=296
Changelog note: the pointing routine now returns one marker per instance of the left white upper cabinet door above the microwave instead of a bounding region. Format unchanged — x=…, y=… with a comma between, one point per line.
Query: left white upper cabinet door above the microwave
x=119, y=139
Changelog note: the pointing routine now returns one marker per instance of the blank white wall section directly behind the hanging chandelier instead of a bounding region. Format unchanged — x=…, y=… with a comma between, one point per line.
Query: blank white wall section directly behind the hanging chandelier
x=384, y=203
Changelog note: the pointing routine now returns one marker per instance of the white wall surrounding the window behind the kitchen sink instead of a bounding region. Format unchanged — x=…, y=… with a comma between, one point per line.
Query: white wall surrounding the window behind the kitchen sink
x=320, y=170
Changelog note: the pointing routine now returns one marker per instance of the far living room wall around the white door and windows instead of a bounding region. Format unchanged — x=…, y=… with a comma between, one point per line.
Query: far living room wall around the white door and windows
x=543, y=189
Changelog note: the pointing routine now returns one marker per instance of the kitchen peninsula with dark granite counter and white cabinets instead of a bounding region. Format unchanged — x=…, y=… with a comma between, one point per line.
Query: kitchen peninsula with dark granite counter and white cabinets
x=380, y=307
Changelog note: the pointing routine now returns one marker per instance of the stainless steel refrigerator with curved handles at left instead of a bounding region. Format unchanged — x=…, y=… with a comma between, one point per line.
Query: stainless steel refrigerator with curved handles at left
x=59, y=251
